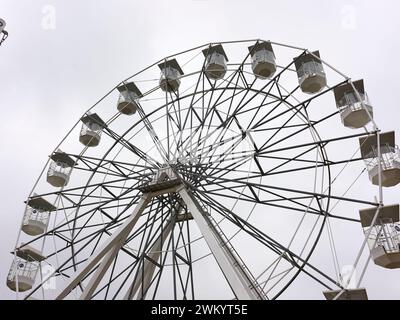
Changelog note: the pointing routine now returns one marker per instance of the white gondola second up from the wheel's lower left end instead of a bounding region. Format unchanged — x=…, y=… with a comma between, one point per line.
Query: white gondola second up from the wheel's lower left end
x=36, y=216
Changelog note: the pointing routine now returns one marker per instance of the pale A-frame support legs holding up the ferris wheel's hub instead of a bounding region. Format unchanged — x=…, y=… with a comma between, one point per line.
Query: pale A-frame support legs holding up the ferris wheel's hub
x=242, y=283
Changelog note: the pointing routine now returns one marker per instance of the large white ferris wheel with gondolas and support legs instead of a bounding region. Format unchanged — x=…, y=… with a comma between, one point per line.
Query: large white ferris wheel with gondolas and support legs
x=223, y=171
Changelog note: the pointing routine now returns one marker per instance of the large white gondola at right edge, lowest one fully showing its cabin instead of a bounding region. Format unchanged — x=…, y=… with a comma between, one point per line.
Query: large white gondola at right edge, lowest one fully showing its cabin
x=384, y=238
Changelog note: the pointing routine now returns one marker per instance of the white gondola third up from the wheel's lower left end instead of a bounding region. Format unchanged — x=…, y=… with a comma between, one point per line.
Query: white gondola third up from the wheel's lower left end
x=60, y=169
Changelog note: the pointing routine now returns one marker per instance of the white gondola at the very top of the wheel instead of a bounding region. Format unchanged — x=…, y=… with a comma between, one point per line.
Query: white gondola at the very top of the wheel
x=263, y=60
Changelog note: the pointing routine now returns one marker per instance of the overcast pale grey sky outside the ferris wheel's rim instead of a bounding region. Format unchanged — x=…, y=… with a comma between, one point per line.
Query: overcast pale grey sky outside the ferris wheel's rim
x=62, y=56
